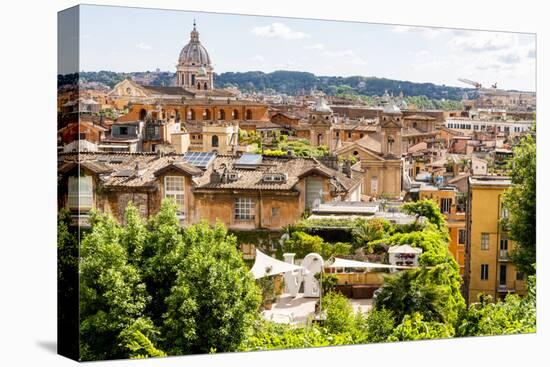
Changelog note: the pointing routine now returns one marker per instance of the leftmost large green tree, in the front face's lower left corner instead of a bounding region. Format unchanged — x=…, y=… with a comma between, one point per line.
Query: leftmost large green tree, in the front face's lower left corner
x=112, y=295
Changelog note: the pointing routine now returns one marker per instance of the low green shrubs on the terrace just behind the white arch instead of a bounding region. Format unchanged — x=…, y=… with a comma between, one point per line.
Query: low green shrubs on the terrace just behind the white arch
x=302, y=243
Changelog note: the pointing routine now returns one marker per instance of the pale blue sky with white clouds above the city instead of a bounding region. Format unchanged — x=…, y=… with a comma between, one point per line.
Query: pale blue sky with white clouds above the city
x=134, y=39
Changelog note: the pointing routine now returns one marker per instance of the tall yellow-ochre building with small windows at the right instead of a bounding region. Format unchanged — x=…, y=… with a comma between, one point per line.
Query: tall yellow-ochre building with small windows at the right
x=488, y=269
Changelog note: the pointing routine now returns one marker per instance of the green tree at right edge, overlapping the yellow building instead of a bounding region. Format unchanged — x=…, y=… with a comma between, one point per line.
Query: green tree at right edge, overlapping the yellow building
x=520, y=200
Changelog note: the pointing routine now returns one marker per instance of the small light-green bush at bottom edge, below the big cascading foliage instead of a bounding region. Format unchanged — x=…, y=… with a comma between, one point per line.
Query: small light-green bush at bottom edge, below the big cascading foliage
x=414, y=327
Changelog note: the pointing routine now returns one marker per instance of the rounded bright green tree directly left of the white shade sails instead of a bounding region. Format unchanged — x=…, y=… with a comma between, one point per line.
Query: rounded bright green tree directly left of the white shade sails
x=214, y=299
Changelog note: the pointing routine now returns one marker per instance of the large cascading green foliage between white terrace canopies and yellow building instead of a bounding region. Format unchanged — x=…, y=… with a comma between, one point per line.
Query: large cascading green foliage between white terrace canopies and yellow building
x=434, y=288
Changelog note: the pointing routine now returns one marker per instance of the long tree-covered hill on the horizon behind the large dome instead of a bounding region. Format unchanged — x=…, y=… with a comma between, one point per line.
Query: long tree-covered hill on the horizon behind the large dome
x=291, y=82
